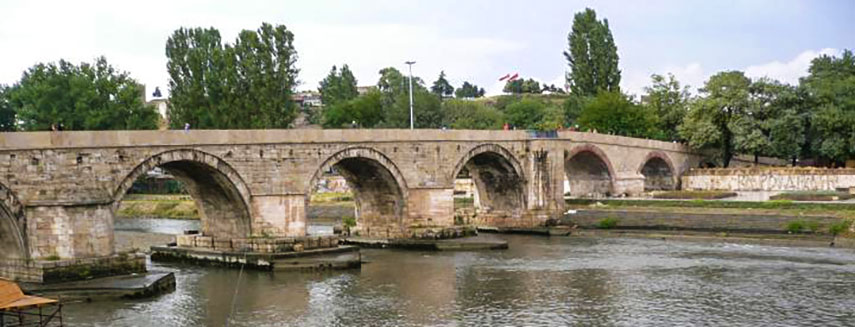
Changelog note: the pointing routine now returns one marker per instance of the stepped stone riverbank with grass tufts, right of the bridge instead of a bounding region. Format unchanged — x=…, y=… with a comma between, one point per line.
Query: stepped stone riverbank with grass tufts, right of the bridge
x=784, y=223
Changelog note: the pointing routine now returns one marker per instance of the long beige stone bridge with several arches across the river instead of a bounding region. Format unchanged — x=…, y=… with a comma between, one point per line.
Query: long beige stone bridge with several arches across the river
x=60, y=190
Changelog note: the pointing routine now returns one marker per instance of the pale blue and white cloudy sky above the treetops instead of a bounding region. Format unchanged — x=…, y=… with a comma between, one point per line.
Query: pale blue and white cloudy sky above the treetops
x=476, y=41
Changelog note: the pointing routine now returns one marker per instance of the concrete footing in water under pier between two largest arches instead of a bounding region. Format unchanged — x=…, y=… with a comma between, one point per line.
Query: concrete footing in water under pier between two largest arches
x=339, y=257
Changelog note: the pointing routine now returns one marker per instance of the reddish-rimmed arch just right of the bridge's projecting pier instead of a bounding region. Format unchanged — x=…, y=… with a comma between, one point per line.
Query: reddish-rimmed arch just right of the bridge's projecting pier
x=589, y=171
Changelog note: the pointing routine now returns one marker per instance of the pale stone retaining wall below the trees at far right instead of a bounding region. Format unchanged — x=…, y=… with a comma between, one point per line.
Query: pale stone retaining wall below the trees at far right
x=768, y=179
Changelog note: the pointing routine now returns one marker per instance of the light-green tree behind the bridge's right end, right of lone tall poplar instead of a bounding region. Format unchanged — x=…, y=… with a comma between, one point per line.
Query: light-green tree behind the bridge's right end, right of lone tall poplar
x=668, y=101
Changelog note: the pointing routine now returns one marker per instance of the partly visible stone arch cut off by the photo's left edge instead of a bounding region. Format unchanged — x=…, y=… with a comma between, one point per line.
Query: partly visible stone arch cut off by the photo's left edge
x=13, y=226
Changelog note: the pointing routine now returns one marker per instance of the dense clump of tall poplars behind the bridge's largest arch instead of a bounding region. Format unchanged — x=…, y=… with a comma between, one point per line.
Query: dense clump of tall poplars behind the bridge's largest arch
x=247, y=84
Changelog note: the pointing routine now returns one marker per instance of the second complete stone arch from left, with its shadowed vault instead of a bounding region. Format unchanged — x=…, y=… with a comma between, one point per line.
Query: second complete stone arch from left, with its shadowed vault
x=379, y=188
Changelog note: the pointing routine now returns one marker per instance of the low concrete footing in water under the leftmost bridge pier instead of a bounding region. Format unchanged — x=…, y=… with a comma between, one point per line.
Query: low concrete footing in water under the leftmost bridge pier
x=107, y=288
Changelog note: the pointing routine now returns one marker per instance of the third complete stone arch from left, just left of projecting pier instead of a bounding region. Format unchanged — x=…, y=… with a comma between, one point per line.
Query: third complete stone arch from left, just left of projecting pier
x=498, y=177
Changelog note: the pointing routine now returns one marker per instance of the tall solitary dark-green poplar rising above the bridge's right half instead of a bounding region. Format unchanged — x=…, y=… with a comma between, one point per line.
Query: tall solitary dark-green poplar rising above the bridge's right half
x=592, y=56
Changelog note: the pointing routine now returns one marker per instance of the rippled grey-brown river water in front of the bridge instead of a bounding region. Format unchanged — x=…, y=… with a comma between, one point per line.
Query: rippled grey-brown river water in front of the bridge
x=539, y=281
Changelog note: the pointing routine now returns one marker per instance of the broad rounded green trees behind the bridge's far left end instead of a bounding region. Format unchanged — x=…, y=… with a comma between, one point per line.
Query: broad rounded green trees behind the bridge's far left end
x=78, y=97
